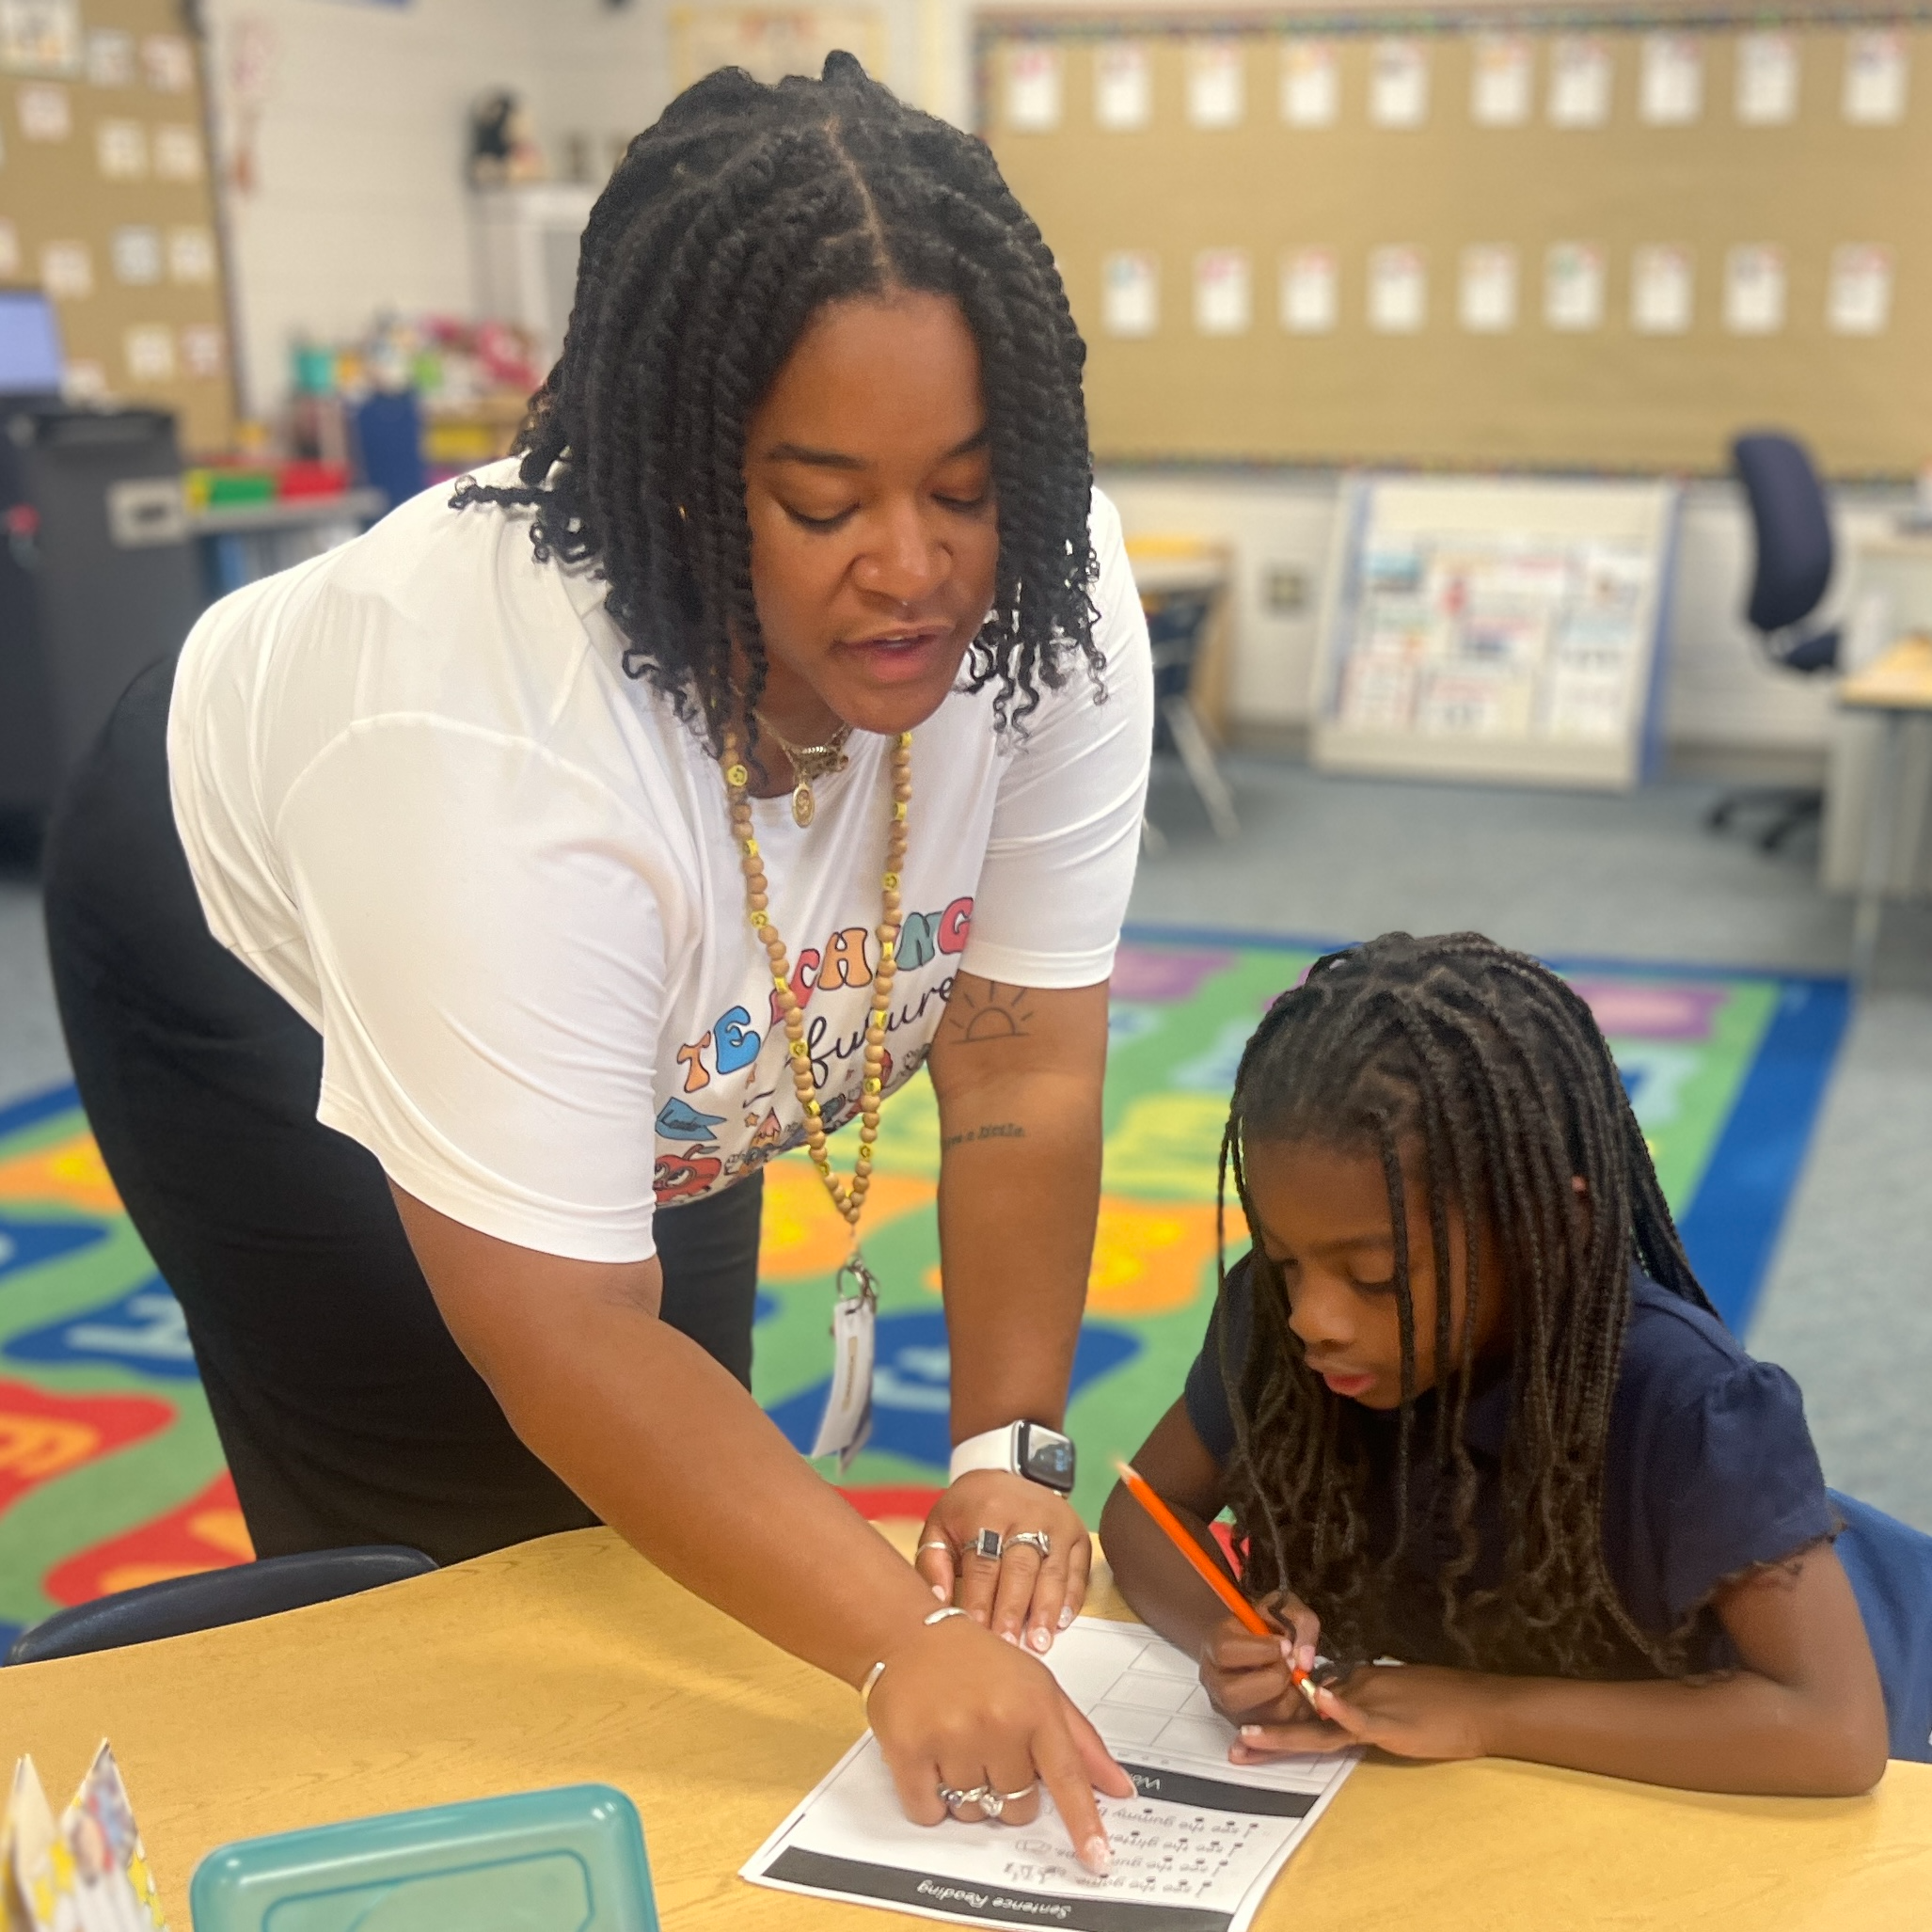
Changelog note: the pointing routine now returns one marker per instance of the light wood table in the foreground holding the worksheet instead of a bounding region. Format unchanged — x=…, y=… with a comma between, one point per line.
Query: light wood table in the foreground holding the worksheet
x=571, y=1659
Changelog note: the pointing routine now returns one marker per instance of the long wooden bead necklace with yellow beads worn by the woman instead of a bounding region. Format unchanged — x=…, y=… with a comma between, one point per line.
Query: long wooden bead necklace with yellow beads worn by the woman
x=847, y=1197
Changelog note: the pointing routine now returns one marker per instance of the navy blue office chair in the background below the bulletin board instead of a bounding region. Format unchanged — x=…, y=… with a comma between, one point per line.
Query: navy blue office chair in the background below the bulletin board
x=1792, y=525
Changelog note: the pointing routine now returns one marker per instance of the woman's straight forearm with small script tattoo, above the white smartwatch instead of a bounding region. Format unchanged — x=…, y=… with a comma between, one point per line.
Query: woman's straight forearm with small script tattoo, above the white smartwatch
x=1019, y=1195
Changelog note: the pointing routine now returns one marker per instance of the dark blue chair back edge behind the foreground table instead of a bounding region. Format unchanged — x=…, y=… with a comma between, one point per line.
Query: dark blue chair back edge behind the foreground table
x=206, y=1603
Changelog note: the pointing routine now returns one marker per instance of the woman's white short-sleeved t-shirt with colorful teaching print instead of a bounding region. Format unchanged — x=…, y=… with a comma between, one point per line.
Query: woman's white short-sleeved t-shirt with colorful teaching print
x=424, y=803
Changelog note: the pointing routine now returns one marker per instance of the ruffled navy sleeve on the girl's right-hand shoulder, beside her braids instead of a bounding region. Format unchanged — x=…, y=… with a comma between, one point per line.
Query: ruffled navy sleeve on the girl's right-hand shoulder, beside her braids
x=1734, y=1481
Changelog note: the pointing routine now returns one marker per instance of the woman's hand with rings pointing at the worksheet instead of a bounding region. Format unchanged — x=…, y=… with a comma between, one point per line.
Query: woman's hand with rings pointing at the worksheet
x=963, y=1719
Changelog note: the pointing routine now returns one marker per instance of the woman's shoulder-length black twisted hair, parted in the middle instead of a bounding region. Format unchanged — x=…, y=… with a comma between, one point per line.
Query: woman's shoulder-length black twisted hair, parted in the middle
x=725, y=229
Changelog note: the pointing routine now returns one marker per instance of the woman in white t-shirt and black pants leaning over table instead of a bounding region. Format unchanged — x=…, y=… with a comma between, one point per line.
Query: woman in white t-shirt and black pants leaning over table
x=447, y=942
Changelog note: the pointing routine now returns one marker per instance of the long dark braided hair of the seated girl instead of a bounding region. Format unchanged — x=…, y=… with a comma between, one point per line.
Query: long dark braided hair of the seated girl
x=1481, y=1081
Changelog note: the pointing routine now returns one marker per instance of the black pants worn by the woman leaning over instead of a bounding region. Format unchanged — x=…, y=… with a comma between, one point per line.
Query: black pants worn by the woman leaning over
x=347, y=1411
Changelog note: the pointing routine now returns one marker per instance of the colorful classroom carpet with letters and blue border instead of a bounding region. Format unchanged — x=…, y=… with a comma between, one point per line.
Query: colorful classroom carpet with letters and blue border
x=111, y=1473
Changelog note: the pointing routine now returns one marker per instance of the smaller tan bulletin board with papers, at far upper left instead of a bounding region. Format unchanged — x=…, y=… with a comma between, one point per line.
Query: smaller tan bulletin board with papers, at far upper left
x=107, y=204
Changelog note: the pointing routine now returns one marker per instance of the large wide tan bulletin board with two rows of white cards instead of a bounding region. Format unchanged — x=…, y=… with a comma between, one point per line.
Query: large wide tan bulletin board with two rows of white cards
x=1585, y=242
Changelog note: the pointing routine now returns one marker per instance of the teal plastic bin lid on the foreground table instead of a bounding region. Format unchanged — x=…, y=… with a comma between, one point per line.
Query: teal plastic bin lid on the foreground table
x=538, y=1861
